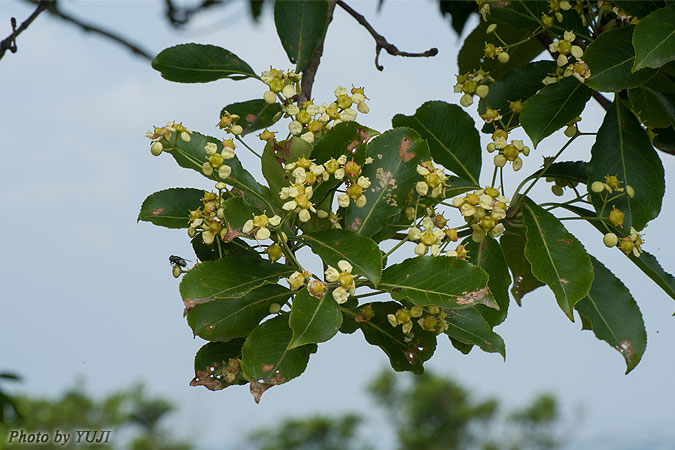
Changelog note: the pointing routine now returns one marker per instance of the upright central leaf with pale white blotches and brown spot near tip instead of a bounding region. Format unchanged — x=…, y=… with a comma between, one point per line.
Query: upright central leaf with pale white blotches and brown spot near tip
x=393, y=173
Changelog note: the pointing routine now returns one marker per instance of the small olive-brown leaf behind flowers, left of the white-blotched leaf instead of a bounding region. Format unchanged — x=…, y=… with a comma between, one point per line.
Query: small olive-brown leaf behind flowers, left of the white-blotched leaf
x=275, y=156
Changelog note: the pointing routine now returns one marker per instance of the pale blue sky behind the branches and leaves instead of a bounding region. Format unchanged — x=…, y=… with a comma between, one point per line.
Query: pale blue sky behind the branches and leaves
x=88, y=291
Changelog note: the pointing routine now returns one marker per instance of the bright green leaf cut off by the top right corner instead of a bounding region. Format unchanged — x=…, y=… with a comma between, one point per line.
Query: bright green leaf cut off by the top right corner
x=654, y=39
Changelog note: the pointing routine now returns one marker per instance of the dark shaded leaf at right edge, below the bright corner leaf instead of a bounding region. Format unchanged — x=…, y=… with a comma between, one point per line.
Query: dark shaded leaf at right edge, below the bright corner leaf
x=654, y=102
